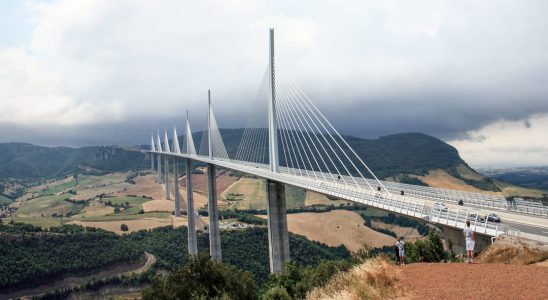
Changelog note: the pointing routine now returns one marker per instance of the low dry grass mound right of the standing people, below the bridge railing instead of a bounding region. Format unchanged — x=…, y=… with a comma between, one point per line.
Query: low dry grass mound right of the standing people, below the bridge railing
x=512, y=251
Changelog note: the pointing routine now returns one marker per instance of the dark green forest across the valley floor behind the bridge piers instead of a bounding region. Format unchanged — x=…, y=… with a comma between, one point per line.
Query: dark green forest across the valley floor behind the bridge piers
x=30, y=254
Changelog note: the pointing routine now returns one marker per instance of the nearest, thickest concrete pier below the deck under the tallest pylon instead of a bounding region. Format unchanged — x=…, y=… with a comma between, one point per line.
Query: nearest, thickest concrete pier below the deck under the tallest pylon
x=278, y=238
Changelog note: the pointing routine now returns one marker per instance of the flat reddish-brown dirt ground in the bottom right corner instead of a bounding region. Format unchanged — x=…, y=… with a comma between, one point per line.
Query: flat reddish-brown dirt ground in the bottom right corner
x=473, y=281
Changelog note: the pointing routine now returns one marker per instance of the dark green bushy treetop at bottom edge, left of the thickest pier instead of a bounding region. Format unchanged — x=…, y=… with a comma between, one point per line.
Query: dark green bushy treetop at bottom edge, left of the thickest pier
x=202, y=278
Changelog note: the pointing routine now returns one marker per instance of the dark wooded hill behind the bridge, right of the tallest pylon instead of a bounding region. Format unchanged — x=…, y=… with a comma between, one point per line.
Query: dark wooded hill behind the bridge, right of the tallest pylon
x=403, y=157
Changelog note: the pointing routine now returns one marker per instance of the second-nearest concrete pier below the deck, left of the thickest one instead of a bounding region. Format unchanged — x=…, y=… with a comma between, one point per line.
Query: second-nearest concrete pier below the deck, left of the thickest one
x=213, y=212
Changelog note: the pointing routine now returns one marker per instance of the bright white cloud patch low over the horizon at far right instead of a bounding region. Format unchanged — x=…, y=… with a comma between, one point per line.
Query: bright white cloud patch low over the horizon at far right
x=507, y=143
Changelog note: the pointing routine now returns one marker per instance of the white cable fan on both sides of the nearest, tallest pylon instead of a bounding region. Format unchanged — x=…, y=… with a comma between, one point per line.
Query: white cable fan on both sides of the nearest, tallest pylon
x=308, y=144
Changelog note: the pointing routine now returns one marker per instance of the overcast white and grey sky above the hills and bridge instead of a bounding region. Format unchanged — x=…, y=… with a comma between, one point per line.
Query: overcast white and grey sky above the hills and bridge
x=472, y=73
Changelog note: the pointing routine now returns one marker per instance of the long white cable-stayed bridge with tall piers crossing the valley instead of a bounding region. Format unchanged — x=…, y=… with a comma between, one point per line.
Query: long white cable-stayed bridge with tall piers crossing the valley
x=287, y=140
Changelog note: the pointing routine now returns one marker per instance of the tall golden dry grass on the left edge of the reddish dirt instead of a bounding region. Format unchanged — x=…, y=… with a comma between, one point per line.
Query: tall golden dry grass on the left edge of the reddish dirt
x=374, y=279
